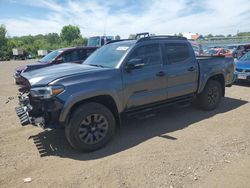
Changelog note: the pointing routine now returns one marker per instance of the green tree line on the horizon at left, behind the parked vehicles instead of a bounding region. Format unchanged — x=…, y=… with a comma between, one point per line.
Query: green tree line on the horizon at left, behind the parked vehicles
x=70, y=36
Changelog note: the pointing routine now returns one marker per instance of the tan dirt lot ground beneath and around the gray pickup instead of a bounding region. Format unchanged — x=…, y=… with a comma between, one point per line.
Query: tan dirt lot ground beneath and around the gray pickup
x=178, y=147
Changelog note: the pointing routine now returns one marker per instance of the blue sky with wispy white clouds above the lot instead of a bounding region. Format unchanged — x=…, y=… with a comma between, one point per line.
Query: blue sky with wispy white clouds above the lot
x=96, y=17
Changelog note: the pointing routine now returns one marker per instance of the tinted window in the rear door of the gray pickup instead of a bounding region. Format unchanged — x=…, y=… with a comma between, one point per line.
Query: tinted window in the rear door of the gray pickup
x=177, y=52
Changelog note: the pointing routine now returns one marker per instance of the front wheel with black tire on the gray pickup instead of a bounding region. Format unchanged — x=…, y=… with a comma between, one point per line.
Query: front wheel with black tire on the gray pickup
x=91, y=127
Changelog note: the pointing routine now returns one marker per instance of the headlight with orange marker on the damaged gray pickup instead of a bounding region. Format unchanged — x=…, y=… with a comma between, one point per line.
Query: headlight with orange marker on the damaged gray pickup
x=46, y=92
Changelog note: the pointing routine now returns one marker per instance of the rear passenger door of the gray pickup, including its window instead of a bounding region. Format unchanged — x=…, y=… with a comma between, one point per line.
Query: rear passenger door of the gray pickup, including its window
x=182, y=69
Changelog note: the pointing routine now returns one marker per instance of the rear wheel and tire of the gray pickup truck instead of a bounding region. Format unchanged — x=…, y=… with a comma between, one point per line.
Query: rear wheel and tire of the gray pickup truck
x=210, y=97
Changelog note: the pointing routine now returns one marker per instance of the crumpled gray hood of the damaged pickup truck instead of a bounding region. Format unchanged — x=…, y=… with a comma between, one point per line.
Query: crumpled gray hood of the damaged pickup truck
x=48, y=74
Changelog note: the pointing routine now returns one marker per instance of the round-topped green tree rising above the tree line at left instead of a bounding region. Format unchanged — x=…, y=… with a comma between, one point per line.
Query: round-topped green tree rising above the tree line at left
x=69, y=33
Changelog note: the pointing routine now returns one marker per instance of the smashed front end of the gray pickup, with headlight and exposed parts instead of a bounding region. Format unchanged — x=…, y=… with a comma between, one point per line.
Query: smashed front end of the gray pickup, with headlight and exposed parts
x=39, y=106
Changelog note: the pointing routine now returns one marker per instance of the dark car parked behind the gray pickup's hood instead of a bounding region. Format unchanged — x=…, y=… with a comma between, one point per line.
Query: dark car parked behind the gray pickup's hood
x=64, y=55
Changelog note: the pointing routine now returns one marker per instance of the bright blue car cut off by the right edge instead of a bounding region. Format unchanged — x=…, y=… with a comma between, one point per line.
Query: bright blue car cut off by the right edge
x=242, y=71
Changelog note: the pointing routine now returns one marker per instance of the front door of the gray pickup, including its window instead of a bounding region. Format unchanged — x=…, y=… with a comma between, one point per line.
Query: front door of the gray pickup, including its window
x=147, y=84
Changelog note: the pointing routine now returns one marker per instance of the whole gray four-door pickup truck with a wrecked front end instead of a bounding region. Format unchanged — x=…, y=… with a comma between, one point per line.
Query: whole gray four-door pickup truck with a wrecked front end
x=122, y=77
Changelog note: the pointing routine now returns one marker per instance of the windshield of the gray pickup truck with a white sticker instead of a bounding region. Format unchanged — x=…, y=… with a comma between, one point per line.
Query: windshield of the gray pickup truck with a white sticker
x=108, y=55
